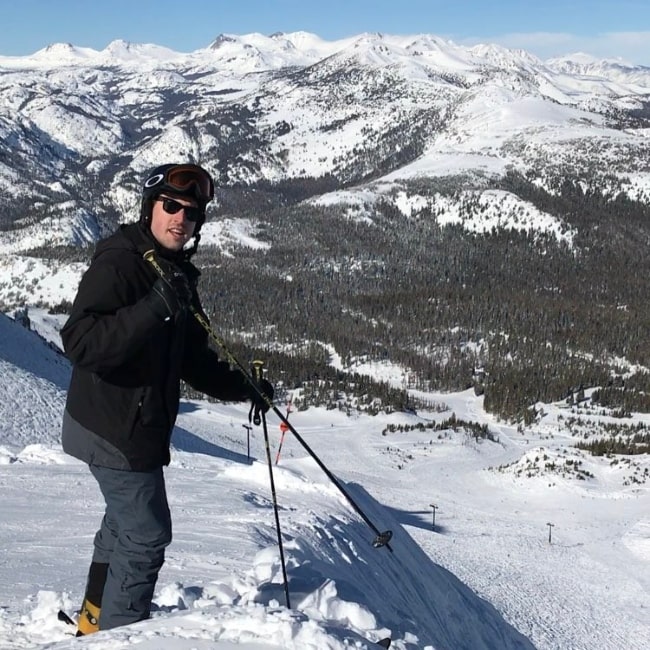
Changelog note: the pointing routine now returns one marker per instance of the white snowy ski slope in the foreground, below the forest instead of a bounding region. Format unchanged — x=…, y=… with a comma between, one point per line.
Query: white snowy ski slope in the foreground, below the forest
x=485, y=577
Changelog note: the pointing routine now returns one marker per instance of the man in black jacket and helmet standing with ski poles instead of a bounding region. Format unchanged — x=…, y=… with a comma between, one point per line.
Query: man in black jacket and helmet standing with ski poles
x=132, y=337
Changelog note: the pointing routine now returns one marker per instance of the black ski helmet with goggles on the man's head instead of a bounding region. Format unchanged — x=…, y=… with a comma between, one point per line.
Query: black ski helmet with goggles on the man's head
x=182, y=179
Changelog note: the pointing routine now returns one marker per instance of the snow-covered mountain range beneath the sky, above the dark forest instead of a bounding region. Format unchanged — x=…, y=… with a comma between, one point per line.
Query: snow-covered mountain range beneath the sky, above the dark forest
x=79, y=126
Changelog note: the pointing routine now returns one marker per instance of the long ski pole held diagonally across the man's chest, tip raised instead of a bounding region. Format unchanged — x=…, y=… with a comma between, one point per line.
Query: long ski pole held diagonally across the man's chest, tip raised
x=382, y=538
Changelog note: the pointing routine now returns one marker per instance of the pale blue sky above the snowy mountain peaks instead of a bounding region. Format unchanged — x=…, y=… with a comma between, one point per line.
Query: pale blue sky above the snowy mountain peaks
x=611, y=28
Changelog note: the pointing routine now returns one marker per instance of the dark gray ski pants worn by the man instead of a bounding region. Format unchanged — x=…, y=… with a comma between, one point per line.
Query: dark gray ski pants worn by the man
x=134, y=533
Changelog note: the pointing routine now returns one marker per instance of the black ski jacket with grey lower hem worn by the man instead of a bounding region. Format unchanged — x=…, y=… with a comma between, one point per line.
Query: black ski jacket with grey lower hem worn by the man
x=127, y=365
